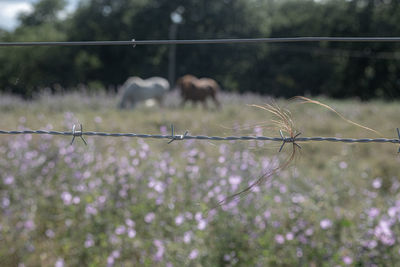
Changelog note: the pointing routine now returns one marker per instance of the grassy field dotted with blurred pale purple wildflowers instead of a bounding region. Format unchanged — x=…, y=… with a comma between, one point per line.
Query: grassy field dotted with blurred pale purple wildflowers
x=130, y=202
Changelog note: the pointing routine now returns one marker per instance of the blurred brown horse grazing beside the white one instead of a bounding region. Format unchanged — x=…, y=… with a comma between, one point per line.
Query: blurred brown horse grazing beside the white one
x=198, y=90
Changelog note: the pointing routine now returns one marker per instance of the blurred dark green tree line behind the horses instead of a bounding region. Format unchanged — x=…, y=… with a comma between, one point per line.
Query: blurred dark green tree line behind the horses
x=340, y=70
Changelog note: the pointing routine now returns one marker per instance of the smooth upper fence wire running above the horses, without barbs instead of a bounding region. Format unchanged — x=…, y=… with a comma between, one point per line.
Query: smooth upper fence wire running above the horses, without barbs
x=207, y=41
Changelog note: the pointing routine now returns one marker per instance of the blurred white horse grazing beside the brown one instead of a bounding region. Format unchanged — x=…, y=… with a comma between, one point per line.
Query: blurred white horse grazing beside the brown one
x=136, y=90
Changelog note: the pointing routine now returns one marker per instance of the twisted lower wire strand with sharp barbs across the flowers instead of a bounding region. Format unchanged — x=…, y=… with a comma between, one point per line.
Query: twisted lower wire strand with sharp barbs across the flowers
x=185, y=136
